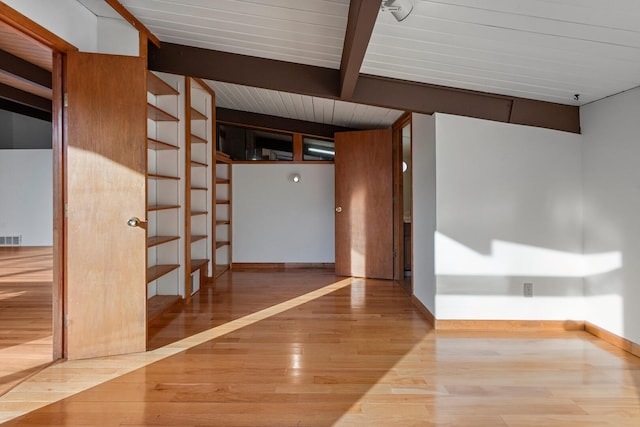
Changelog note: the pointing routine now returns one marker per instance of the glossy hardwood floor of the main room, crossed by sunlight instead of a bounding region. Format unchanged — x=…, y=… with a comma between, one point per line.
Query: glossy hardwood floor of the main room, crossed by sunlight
x=354, y=352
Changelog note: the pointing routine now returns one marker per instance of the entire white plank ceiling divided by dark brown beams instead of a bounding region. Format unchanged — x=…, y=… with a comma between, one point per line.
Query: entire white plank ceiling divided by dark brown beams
x=540, y=49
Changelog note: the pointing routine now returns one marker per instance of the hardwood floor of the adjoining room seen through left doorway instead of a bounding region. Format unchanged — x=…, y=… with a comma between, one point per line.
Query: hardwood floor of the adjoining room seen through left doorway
x=25, y=313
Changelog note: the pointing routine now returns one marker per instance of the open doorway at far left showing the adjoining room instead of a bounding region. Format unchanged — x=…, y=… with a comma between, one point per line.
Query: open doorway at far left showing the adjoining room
x=30, y=282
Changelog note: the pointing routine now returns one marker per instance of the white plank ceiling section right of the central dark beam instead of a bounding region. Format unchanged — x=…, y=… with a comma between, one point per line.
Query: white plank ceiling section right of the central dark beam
x=540, y=49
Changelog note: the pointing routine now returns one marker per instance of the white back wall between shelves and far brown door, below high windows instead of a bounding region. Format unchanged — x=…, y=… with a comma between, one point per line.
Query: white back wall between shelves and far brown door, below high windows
x=275, y=220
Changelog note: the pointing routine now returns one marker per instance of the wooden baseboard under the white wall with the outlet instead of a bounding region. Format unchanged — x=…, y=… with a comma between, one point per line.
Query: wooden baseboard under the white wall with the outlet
x=501, y=325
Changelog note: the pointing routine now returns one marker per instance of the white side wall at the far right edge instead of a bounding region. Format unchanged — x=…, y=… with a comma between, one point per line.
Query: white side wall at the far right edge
x=610, y=130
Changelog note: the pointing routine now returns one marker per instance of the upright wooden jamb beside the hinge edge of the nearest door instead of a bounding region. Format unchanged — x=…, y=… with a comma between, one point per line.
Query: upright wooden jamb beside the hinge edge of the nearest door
x=58, y=144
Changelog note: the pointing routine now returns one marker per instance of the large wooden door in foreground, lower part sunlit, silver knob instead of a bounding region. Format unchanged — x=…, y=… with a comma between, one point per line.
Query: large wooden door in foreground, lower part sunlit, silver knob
x=105, y=134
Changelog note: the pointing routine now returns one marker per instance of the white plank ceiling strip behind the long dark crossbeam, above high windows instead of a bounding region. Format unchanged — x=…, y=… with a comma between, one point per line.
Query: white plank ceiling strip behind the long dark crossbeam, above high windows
x=302, y=107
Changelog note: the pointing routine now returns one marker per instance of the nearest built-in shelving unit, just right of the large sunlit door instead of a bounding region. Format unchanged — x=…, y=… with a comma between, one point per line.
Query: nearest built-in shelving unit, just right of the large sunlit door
x=165, y=198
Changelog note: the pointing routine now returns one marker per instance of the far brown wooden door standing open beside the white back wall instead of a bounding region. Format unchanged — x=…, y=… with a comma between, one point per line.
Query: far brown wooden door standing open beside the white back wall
x=364, y=204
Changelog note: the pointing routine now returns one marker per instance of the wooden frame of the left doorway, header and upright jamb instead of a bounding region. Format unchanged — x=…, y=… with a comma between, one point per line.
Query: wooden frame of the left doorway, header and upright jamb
x=58, y=48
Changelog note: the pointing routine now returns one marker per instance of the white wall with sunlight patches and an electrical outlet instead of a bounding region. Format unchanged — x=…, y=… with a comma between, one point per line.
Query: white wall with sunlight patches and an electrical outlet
x=508, y=212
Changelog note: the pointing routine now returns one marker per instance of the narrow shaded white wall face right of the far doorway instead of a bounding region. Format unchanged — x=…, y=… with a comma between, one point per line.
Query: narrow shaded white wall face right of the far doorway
x=423, y=139
